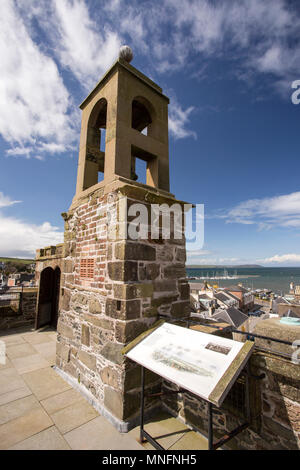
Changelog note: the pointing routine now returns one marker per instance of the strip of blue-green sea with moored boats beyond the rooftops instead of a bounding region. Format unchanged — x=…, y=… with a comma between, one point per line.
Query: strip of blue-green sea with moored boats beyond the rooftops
x=275, y=279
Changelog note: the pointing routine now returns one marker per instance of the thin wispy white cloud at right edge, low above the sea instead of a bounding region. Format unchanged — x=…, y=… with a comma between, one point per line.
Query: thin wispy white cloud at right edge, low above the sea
x=280, y=211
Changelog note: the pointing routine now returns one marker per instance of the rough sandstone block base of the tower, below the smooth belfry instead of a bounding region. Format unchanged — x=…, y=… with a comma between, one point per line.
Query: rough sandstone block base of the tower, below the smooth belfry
x=132, y=281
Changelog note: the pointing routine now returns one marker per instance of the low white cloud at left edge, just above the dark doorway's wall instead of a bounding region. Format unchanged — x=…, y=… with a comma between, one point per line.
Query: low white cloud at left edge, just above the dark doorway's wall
x=19, y=238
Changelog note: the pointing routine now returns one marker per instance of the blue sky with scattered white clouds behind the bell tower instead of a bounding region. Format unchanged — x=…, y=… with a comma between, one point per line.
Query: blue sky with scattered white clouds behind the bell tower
x=228, y=68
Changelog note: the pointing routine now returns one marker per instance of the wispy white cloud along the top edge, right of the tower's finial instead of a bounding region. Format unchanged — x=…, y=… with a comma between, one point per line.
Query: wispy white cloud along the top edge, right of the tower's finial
x=260, y=34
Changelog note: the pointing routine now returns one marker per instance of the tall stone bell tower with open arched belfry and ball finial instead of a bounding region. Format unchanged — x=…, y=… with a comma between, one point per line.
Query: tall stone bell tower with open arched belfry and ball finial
x=114, y=287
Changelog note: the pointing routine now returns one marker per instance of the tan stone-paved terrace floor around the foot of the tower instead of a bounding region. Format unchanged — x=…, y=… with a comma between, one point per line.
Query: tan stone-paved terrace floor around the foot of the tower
x=39, y=410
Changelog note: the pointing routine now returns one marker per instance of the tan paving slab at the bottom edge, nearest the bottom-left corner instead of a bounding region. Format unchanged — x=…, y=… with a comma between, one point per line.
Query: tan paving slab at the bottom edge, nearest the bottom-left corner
x=50, y=439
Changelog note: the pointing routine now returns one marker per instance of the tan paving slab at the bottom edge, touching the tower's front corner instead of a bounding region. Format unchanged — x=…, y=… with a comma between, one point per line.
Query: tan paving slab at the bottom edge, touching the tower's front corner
x=99, y=434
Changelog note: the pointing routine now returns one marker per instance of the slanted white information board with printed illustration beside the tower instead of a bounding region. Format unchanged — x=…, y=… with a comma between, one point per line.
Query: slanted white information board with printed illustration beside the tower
x=205, y=364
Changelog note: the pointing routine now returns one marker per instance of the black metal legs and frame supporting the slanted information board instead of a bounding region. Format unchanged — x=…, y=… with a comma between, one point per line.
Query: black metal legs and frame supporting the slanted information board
x=144, y=435
